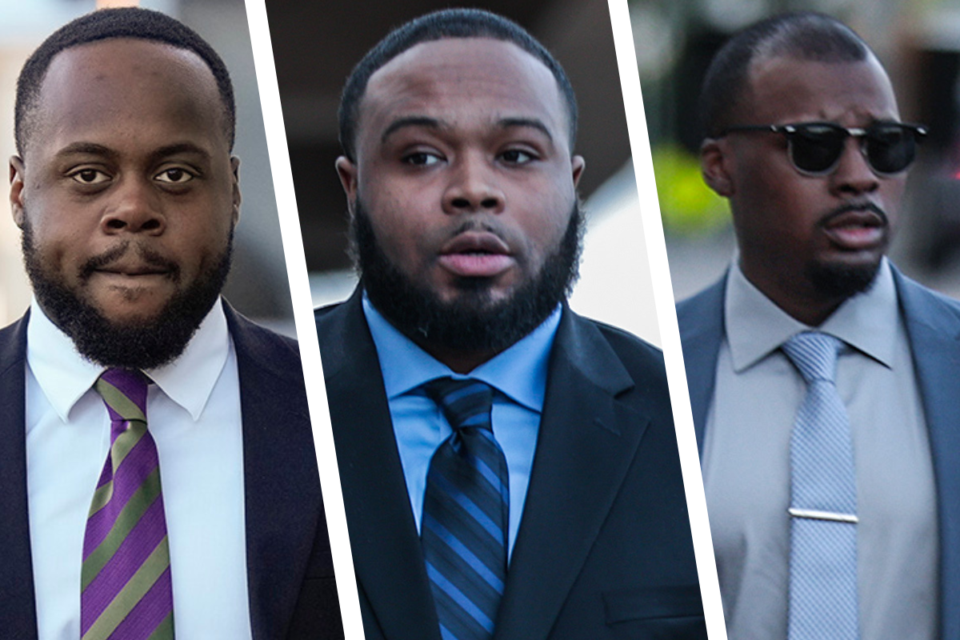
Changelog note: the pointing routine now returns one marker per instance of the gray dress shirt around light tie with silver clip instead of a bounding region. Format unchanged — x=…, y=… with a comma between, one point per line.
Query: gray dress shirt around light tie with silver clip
x=746, y=468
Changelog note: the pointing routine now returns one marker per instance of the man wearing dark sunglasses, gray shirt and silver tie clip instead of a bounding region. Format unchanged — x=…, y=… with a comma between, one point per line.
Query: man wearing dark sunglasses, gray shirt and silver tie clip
x=821, y=379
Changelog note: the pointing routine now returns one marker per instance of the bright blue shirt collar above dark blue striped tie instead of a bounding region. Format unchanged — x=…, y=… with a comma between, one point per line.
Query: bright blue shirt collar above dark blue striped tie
x=519, y=372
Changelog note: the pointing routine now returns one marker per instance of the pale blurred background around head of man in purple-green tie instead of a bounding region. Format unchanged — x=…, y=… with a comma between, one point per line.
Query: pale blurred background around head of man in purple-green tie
x=258, y=282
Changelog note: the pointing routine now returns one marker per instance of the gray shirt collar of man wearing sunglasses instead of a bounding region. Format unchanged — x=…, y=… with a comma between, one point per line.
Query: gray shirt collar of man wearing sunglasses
x=755, y=326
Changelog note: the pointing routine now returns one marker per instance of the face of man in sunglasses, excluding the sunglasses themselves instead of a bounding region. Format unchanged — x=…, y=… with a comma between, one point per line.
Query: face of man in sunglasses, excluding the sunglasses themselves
x=808, y=242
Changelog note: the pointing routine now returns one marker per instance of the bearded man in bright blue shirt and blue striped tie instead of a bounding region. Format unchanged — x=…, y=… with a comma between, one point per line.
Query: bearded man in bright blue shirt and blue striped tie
x=458, y=131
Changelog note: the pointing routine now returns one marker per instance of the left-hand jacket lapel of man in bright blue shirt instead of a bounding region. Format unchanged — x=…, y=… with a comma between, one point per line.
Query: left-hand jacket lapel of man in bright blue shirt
x=386, y=549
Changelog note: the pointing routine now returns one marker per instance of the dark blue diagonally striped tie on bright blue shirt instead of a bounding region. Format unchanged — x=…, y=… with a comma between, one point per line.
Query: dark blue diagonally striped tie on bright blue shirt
x=465, y=513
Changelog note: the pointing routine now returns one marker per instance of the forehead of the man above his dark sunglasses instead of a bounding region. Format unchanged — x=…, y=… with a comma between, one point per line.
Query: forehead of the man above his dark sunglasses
x=784, y=89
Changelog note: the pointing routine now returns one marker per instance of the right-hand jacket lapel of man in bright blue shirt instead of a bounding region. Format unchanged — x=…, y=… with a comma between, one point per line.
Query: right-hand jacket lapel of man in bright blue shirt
x=586, y=443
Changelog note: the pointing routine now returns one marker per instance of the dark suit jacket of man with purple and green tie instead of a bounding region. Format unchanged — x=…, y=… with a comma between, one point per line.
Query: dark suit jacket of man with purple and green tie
x=289, y=568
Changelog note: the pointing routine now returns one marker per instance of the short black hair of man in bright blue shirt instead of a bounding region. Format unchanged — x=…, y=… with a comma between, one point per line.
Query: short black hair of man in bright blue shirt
x=448, y=23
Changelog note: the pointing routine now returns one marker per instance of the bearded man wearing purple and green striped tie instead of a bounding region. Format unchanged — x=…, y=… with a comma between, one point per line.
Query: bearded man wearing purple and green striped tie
x=127, y=196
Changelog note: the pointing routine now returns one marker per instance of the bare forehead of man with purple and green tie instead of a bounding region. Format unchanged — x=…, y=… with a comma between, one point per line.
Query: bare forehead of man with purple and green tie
x=122, y=86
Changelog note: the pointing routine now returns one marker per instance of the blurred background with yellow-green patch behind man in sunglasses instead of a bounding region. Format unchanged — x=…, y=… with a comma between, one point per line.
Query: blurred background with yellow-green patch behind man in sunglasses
x=918, y=42
